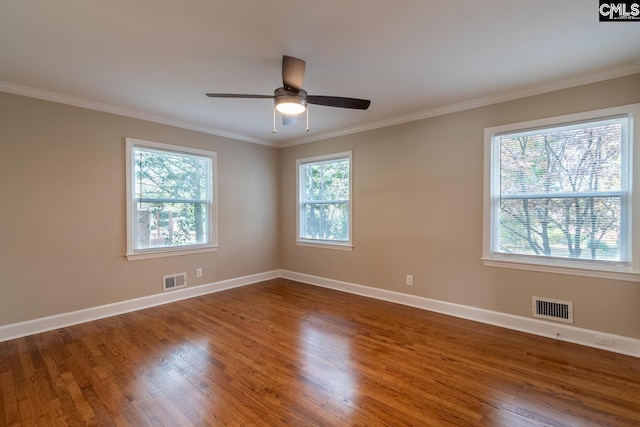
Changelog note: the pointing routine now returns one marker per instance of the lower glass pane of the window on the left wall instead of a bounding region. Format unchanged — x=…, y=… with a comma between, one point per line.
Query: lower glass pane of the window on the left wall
x=170, y=224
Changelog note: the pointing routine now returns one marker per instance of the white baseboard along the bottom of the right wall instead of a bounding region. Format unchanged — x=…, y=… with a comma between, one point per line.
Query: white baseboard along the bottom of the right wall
x=623, y=345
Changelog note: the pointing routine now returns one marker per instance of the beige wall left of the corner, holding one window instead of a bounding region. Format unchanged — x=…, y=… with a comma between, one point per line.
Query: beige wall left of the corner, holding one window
x=62, y=210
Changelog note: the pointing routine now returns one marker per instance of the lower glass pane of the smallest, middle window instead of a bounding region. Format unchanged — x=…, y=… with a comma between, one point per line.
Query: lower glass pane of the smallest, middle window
x=326, y=221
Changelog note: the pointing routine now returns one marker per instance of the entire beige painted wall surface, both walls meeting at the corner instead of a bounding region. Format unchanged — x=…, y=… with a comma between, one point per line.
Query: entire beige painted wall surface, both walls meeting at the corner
x=417, y=210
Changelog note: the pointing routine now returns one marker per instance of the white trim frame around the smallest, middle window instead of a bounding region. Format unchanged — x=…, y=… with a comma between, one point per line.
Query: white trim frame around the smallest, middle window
x=325, y=244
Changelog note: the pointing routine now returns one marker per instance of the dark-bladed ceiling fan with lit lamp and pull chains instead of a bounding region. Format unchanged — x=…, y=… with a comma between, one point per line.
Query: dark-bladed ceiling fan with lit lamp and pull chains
x=291, y=100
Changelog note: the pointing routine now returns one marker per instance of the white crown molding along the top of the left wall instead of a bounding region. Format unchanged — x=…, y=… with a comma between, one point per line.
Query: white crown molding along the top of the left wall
x=122, y=111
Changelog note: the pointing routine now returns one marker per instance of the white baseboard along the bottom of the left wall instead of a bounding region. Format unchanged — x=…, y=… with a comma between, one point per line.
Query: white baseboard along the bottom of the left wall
x=43, y=324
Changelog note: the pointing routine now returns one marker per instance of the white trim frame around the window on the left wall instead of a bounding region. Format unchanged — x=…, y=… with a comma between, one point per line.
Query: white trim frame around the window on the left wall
x=133, y=254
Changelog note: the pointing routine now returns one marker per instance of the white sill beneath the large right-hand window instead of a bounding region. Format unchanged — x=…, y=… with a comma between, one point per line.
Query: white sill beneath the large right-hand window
x=611, y=272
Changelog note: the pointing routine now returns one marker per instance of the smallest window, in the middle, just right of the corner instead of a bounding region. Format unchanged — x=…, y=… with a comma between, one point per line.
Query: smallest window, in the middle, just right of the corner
x=324, y=201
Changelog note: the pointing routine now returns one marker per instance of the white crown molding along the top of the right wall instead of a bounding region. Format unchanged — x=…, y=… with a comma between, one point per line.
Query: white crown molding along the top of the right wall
x=583, y=79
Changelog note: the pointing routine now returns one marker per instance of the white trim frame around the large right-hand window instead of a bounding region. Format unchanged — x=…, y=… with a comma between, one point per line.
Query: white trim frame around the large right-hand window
x=614, y=271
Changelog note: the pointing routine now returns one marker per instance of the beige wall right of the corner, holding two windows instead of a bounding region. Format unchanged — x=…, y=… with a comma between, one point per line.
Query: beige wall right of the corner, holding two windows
x=417, y=203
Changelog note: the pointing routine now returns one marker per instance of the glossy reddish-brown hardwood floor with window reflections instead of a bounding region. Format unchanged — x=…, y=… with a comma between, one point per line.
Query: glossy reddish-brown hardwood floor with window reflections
x=286, y=353
